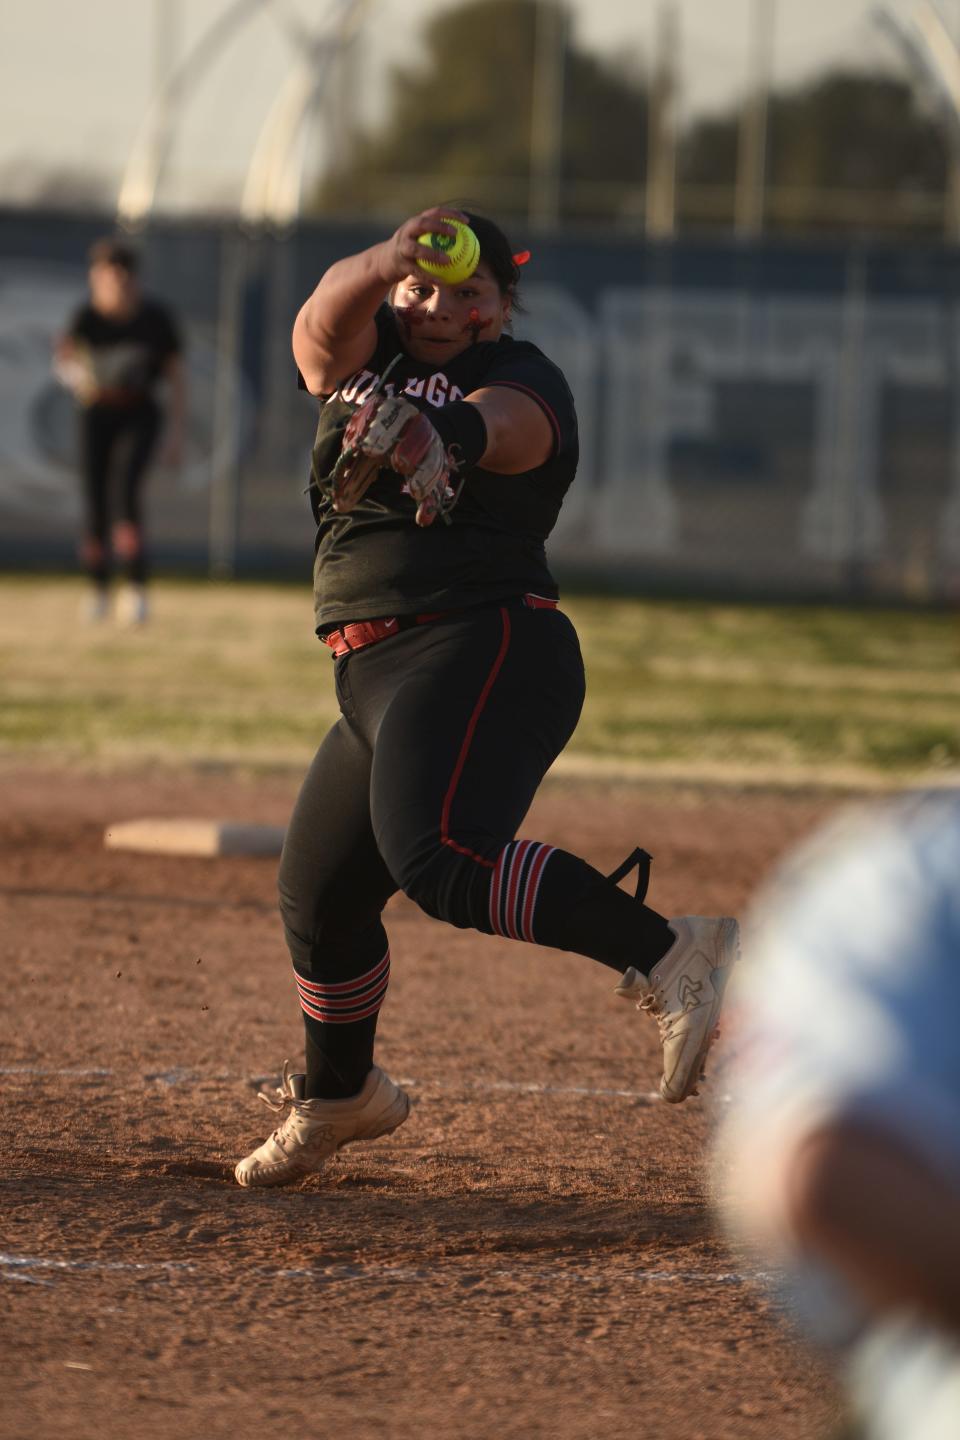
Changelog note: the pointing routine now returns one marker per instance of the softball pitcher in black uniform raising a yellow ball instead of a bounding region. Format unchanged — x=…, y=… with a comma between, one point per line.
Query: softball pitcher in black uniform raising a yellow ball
x=443, y=457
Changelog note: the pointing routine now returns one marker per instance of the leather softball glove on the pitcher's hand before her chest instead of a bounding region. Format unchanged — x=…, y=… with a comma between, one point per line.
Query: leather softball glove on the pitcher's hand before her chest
x=389, y=433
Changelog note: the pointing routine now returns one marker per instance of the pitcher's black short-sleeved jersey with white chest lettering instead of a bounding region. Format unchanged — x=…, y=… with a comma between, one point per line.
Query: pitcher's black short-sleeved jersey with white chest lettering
x=376, y=561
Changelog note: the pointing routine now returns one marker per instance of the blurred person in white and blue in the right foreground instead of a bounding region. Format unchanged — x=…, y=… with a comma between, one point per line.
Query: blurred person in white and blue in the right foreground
x=840, y=1157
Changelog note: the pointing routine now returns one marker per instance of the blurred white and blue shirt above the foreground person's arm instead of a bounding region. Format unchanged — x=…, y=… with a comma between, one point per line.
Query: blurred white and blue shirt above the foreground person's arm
x=850, y=996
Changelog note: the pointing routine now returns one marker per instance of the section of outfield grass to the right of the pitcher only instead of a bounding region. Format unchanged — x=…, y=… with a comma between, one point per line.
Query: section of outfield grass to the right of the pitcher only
x=802, y=692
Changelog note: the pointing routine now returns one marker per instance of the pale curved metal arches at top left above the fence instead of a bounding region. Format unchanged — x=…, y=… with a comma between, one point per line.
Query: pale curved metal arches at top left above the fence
x=155, y=138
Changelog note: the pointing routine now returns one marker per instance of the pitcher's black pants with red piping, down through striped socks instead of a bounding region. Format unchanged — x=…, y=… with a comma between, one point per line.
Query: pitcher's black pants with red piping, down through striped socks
x=445, y=735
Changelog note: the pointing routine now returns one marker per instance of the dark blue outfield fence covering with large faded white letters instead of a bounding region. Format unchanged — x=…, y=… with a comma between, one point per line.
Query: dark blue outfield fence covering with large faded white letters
x=766, y=420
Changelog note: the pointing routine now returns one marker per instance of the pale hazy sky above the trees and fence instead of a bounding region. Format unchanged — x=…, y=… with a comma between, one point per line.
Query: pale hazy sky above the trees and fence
x=76, y=78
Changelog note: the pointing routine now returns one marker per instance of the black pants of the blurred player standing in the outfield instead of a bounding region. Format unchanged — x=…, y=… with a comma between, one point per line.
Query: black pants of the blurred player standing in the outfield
x=117, y=444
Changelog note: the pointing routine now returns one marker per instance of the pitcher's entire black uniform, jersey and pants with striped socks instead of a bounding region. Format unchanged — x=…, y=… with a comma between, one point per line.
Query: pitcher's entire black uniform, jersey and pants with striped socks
x=448, y=725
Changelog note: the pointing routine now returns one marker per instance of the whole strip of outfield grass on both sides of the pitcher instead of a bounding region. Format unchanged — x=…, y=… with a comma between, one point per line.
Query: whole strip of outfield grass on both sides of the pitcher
x=234, y=675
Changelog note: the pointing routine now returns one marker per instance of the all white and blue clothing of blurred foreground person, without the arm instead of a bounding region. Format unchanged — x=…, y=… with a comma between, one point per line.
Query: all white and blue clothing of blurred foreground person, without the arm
x=848, y=1007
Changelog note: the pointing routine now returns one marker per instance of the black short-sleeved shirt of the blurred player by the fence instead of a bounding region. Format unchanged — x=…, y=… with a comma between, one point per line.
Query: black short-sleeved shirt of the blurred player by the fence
x=126, y=356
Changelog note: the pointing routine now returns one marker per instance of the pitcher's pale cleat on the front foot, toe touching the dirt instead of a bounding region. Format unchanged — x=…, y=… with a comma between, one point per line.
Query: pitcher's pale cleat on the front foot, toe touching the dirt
x=316, y=1130
